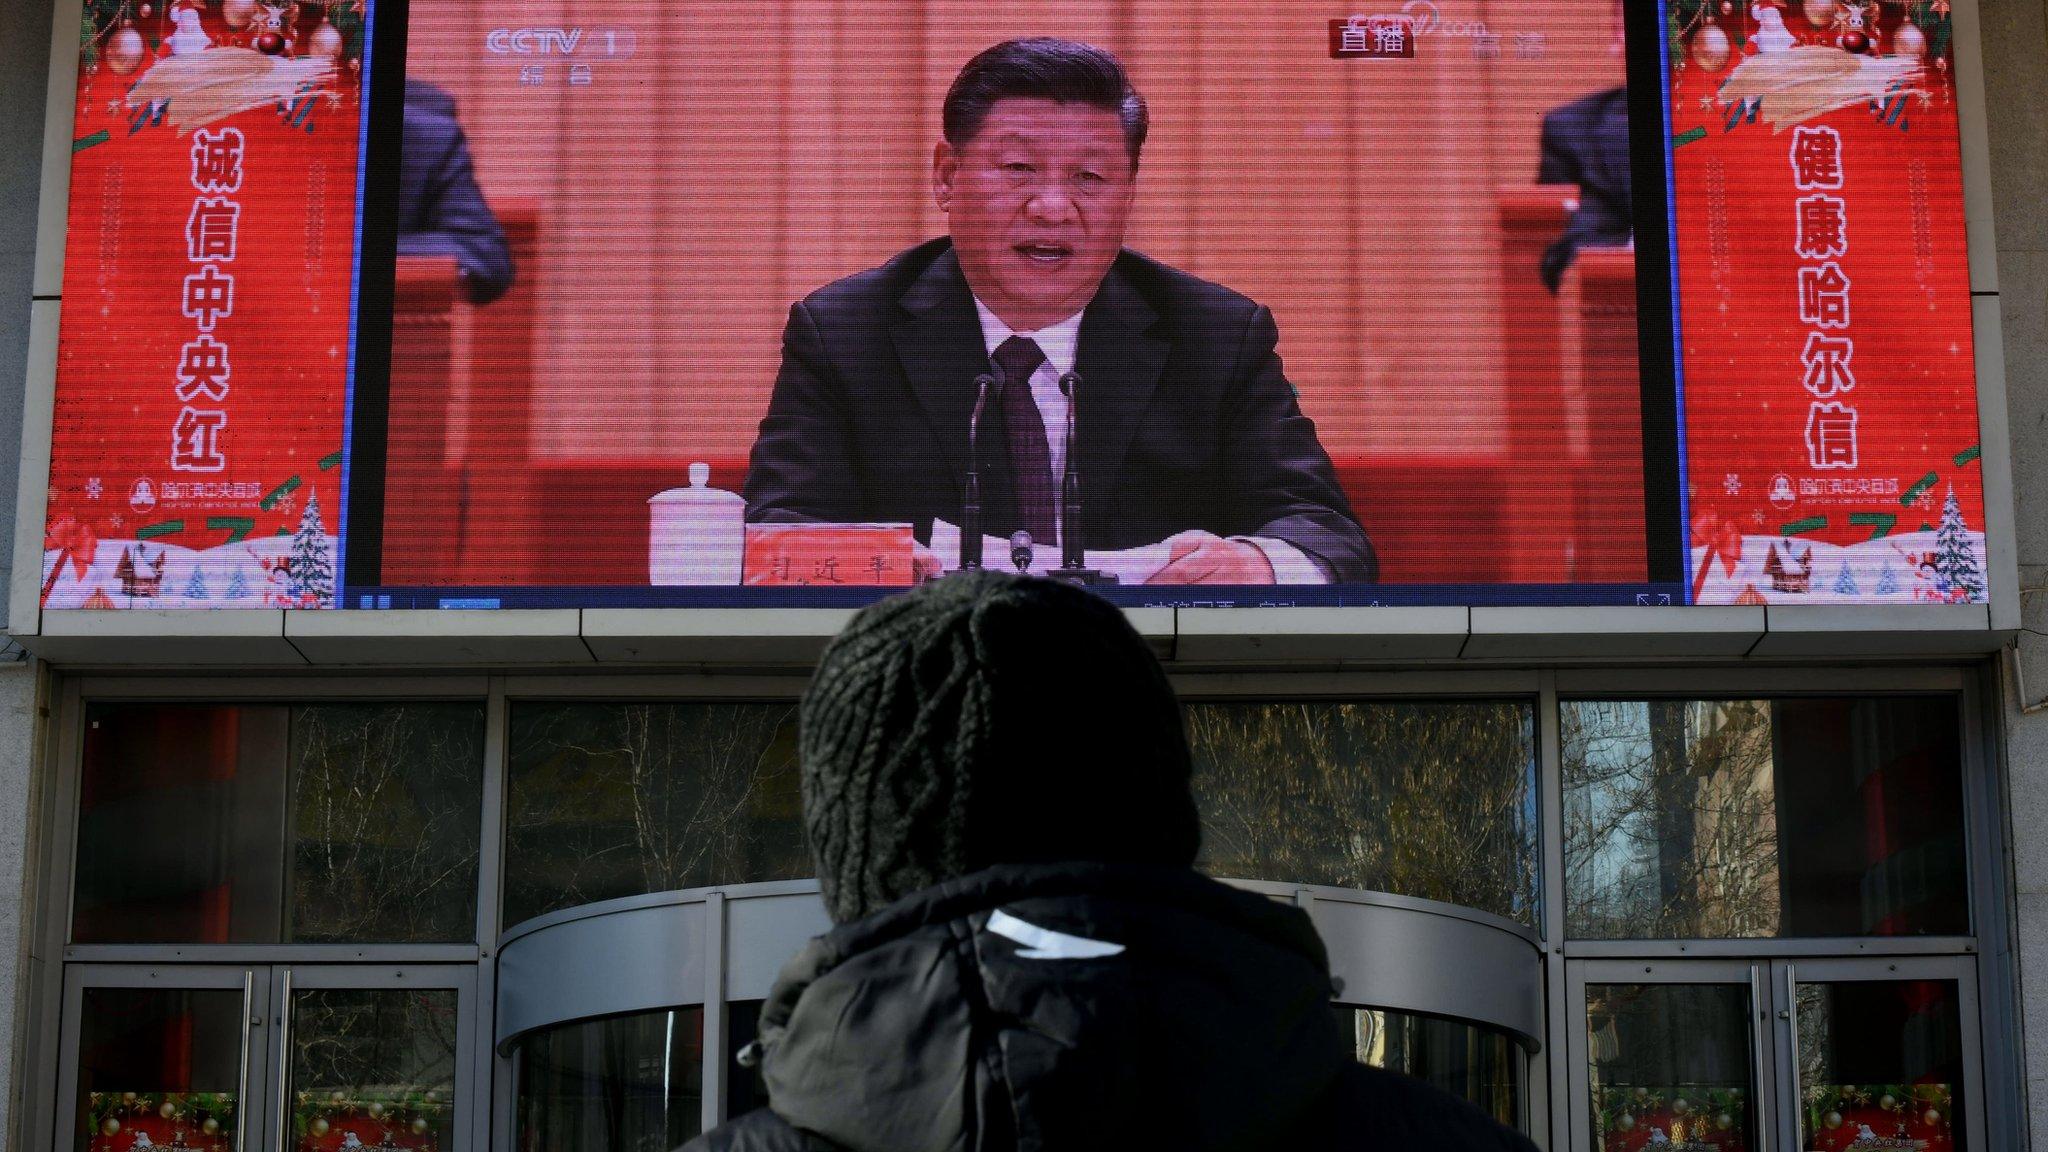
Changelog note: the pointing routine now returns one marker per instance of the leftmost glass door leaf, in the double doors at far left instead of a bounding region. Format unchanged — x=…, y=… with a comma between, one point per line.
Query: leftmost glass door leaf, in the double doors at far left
x=165, y=1059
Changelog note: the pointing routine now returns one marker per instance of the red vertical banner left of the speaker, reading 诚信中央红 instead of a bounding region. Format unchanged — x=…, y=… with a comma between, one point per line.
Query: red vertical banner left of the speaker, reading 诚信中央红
x=204, y=349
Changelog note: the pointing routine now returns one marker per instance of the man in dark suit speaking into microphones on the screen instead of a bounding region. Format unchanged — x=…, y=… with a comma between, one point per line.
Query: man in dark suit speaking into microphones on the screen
x=1187, y=429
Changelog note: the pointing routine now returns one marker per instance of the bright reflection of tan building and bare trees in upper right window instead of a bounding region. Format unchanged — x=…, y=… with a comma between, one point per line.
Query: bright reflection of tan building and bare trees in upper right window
x=1670, y=819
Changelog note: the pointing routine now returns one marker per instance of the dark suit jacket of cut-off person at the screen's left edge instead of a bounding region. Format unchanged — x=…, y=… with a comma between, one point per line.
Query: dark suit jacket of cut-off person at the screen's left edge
x=441, y=210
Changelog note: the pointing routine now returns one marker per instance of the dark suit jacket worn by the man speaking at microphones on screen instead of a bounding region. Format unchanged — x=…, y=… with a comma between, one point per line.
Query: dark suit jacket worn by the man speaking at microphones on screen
x=1185, y=417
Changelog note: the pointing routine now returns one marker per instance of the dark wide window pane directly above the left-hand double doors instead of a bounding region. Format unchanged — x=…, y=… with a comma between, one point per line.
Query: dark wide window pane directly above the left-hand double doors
x=194, y=831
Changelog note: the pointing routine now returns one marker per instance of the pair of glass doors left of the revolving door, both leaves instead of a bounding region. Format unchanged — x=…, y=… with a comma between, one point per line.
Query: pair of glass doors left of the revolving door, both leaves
x=267, y=1059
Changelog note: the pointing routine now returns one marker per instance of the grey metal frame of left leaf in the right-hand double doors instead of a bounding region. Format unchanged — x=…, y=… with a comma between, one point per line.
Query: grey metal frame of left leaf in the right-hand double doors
x=1748, y=975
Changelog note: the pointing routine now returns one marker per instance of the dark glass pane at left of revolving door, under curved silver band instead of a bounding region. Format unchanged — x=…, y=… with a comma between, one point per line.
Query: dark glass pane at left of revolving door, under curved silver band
x=615, y=1083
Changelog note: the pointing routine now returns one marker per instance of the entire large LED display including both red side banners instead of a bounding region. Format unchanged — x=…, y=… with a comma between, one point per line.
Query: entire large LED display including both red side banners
x=599, y=302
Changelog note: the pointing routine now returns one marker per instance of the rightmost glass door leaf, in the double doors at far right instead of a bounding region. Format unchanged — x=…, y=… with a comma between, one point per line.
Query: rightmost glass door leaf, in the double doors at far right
x=1881, y=1055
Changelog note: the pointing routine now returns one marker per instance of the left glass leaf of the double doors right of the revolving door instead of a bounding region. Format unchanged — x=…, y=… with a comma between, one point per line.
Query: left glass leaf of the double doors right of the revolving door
x=1670, y=1057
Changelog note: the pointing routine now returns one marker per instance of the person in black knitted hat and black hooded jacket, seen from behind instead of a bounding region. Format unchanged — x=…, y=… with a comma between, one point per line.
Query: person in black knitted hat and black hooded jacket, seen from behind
x=996, y=788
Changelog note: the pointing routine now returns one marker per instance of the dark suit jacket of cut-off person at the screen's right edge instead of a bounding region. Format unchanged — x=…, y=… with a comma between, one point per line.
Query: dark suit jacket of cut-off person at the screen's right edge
x=1586, y=142
